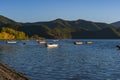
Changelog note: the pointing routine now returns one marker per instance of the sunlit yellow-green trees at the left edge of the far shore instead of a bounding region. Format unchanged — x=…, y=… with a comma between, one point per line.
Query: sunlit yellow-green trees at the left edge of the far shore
x=11, y=34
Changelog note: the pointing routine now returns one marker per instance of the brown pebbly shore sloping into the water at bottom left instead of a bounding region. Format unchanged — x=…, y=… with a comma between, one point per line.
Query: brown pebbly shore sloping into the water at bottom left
x=7, y=73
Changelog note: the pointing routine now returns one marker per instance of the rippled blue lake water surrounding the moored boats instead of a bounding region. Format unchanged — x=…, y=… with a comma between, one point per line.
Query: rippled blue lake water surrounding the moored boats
x=98, y=61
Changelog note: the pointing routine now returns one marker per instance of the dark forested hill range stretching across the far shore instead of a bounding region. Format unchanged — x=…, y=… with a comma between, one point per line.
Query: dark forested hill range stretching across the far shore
x=63, y=29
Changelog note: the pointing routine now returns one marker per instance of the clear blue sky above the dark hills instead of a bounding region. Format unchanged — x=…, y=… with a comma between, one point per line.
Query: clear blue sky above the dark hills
x=107, y=11
